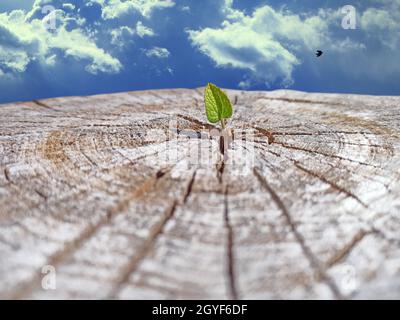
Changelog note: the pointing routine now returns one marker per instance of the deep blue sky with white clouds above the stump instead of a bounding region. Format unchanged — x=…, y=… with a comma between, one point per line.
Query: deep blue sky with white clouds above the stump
x=101, y=46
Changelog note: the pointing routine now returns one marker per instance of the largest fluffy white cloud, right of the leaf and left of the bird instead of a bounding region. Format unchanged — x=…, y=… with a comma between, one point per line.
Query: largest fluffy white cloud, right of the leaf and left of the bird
x=264, y=43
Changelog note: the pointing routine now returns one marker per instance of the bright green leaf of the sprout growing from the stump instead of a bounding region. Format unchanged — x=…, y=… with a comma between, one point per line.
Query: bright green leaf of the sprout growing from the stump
x=217, y=103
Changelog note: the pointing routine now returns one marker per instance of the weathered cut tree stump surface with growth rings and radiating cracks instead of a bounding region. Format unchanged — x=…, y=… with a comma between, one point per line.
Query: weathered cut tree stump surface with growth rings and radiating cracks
x=129, y=196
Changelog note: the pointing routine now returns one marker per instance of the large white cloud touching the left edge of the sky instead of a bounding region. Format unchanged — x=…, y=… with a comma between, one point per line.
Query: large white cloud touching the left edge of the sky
x=28, y=41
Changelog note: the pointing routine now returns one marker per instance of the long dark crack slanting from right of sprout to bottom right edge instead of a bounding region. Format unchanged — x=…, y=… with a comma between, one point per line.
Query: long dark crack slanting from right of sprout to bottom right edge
x=315, y=264
